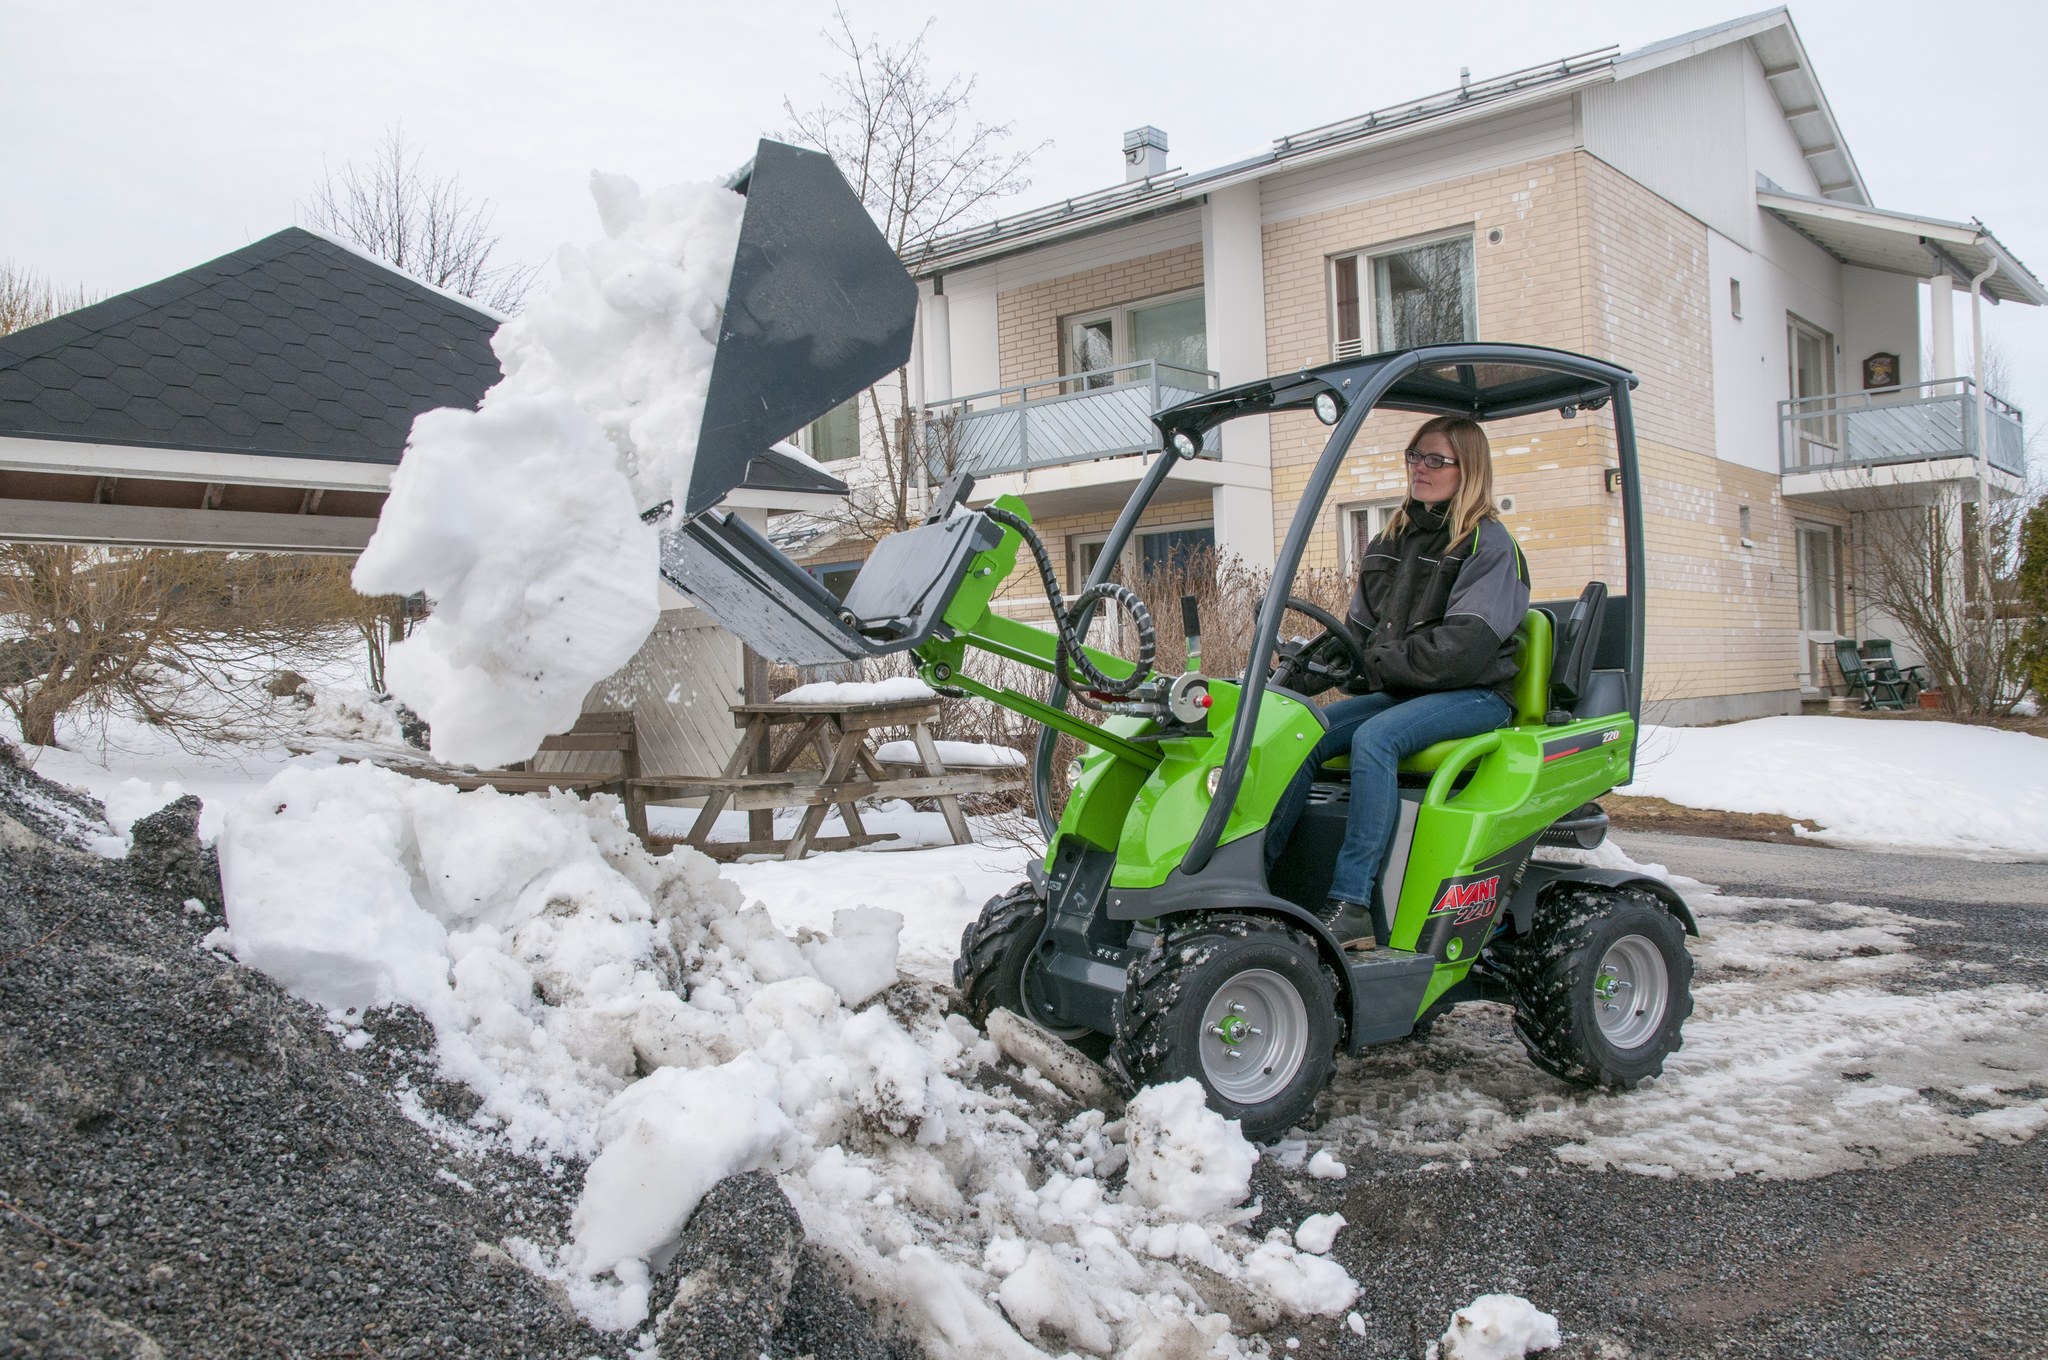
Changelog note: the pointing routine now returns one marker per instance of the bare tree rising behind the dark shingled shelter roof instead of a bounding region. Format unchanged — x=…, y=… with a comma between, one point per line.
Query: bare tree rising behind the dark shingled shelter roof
x=423, y=224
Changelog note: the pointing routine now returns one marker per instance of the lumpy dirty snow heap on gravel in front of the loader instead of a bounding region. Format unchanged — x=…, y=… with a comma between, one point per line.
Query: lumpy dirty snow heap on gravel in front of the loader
x=558, y=962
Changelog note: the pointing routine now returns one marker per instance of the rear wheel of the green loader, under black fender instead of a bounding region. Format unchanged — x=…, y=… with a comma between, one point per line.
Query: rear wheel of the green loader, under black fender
x=1603, y=986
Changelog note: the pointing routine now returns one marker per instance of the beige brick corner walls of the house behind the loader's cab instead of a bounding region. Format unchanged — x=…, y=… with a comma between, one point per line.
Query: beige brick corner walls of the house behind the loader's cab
x=1594, y=263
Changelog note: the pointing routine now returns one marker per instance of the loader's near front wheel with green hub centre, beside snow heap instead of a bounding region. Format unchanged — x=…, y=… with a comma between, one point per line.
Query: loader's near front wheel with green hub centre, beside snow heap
x=1242, y=1005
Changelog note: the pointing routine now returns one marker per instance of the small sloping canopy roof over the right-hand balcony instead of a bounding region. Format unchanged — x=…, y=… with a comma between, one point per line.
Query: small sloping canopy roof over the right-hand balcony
x=1906, y=243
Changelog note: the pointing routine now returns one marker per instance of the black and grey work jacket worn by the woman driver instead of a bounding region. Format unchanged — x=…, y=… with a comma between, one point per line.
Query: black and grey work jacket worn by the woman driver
x=1441, y=615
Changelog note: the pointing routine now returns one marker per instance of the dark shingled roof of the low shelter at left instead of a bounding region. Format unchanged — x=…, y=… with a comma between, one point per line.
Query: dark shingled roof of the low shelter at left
x=292, y=345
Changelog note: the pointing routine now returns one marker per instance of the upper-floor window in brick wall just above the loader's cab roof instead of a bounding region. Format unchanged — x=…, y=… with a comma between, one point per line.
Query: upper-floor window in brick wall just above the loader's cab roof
x=1404, y=298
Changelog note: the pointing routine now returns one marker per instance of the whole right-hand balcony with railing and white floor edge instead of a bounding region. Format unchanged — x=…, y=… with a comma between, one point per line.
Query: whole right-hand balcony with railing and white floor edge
x=1897, y=437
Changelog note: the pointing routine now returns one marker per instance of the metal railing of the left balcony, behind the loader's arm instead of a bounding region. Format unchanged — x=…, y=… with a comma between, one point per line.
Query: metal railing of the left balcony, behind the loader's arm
x=1068, y=419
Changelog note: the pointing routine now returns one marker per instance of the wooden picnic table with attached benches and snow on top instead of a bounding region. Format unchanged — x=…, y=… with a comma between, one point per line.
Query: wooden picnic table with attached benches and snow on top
x=759, y=777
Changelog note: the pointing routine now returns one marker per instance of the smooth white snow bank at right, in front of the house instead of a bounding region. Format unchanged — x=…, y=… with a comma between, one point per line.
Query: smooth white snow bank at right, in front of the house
x=1879, y=783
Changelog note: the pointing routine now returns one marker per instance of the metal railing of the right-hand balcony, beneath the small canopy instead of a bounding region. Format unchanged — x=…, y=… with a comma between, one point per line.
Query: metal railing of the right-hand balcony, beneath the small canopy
x=1900, y=425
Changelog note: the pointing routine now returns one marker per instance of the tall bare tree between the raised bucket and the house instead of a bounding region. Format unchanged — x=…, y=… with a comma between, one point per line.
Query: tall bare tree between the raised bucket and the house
x=923, y=165
